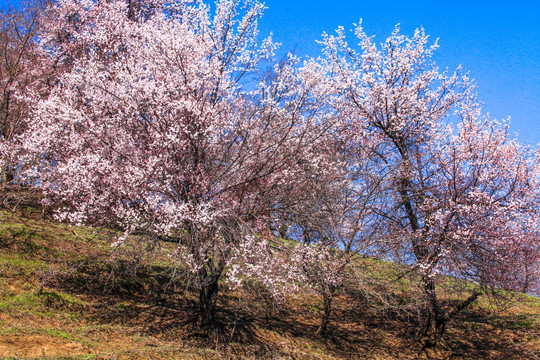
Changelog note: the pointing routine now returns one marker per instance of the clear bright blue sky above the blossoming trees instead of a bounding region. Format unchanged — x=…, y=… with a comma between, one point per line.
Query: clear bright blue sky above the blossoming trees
x=498, y=42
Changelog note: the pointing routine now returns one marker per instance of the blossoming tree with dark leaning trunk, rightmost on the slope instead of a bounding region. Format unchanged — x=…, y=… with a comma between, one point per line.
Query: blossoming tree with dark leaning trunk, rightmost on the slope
x=455, y=194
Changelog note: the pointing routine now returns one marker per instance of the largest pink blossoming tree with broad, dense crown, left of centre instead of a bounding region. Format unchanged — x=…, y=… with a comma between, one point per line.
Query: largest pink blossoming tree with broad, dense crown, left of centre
x=151, y=131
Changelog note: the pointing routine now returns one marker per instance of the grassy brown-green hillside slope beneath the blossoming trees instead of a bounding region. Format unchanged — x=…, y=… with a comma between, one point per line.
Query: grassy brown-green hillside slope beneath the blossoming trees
x=62, y=298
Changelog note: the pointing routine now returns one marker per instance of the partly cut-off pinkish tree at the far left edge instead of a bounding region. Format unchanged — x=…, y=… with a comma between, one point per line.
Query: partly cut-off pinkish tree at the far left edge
x=22, y=70
